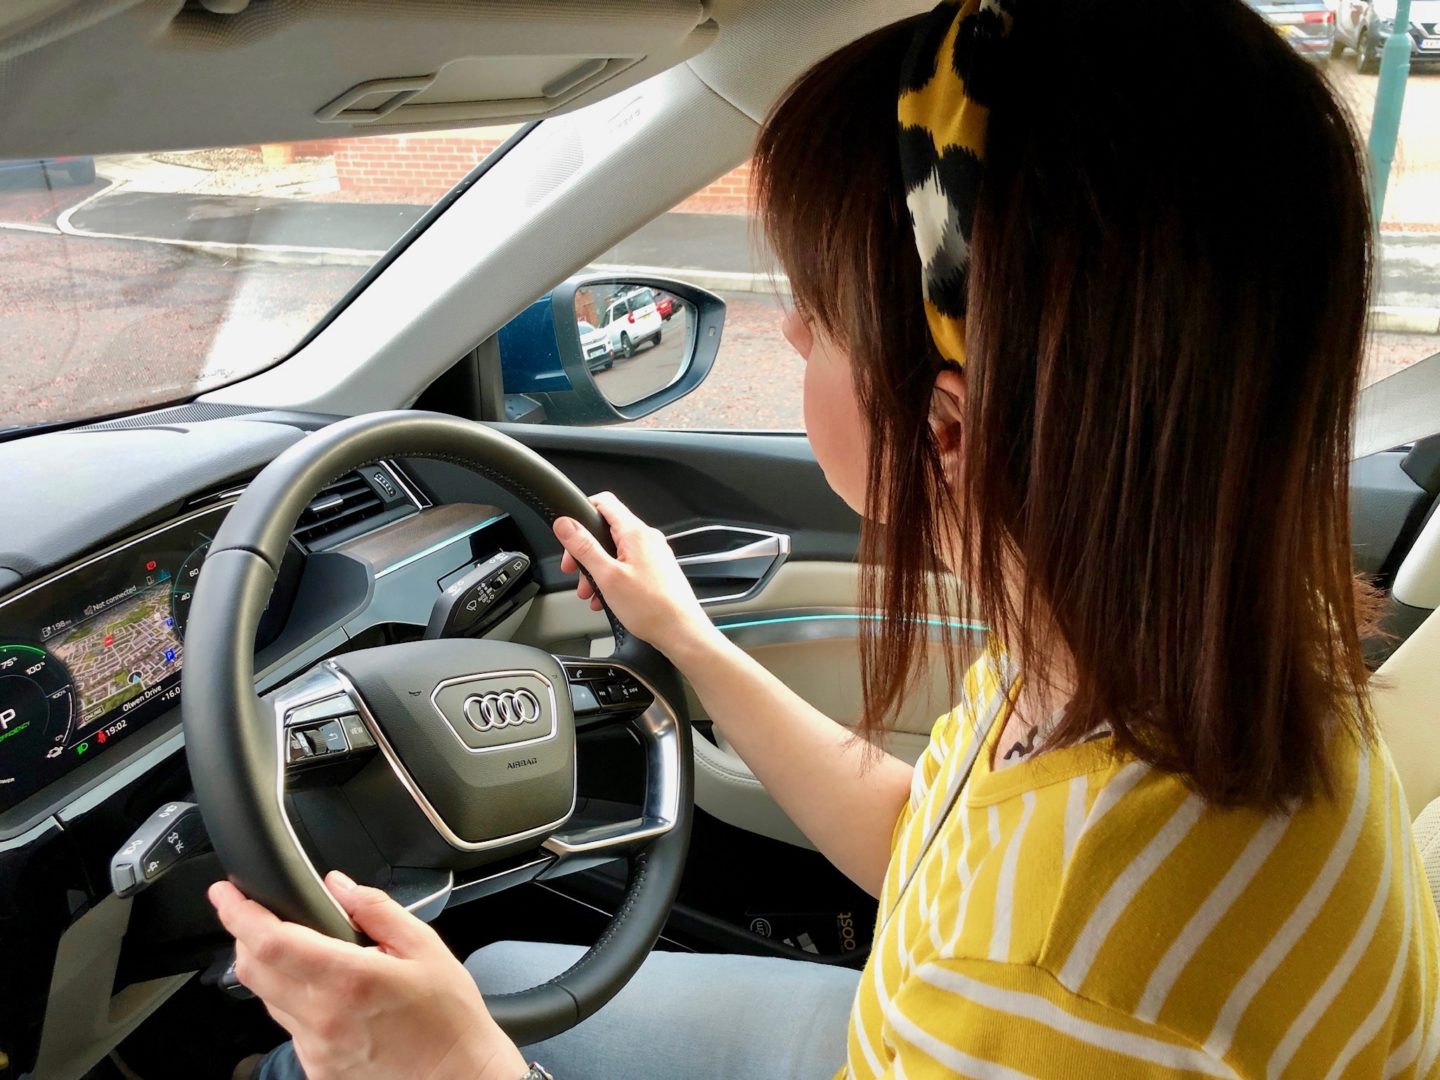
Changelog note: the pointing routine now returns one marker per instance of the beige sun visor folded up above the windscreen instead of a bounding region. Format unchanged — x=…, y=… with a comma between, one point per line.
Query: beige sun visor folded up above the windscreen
x=126, y=76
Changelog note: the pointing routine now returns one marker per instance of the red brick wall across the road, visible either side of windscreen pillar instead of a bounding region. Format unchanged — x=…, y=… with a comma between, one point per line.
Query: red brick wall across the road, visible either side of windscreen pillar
x=420, y=169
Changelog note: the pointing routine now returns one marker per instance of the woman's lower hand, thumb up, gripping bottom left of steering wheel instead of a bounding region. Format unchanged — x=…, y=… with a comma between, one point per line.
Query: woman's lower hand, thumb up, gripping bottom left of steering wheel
x=405, y=1009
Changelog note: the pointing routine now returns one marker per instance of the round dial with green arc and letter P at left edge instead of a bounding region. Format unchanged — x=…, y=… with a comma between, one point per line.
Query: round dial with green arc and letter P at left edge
x=37, y=711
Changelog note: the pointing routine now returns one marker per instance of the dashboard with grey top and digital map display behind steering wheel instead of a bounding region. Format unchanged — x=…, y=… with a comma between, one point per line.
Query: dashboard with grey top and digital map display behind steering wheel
x=96, y=585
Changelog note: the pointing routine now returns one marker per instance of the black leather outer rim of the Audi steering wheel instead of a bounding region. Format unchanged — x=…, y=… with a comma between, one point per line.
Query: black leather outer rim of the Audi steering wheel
x=231, y=734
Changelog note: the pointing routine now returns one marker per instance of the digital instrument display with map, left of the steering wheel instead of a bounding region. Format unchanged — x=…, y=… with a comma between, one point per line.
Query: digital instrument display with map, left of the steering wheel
x=96, y=652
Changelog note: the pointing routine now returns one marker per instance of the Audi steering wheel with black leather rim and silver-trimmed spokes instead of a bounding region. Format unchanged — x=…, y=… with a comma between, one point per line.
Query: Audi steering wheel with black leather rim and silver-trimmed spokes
x=469, y=781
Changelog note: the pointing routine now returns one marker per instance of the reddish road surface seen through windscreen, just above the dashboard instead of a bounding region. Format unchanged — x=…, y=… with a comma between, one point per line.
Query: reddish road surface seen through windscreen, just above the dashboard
x=94, y=328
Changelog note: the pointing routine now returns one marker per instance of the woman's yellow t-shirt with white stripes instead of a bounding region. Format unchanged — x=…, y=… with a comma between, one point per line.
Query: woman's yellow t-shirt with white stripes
x=1082, y=917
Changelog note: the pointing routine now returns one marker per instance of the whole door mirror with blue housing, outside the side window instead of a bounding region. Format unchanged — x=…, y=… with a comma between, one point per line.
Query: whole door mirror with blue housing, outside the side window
x=558, y=355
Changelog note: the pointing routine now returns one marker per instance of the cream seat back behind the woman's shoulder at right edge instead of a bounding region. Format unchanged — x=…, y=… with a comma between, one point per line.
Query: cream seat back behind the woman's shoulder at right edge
x=1408, y=708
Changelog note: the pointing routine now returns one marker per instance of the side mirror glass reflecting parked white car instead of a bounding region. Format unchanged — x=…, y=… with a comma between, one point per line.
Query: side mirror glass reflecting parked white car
x=636, y=341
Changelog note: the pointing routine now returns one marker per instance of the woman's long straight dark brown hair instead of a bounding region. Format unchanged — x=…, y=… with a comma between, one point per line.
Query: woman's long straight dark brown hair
x=1167, y=302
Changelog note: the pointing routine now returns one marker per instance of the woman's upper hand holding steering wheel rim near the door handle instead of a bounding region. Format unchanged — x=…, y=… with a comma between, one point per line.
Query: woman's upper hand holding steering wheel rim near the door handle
x=643, y=585
